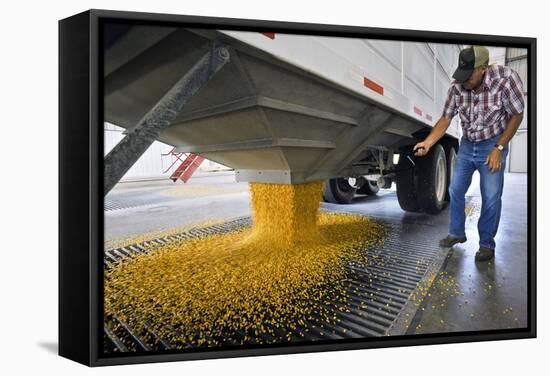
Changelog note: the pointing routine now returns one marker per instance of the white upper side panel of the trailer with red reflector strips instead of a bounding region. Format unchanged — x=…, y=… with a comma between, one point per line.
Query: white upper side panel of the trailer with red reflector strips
x=407, y=71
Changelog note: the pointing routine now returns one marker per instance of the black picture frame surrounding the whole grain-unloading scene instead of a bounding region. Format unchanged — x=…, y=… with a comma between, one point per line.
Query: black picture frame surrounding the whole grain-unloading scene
x=81, y=192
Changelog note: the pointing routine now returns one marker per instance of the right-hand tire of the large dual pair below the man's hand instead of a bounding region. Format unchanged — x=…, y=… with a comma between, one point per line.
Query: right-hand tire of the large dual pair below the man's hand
x=432, y=180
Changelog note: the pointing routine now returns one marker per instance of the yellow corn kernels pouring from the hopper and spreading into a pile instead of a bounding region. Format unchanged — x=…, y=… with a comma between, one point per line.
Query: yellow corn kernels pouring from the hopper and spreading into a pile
x=270, y=278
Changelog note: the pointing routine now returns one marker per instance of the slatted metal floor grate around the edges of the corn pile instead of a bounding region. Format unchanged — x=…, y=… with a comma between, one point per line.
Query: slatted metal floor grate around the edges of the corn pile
x=383, y=296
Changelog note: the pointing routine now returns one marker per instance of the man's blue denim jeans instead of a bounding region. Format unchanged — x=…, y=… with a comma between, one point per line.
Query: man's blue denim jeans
x=472, y=157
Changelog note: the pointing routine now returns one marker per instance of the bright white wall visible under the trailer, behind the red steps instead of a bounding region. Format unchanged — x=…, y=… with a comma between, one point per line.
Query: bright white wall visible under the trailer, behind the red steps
x=152, y=164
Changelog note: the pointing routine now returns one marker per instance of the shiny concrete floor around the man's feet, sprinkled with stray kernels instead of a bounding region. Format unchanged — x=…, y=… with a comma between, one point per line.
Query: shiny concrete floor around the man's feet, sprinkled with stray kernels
x=470, y=296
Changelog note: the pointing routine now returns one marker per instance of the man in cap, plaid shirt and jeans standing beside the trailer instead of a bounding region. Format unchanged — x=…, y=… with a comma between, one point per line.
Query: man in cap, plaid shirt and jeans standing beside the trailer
x=489, y=101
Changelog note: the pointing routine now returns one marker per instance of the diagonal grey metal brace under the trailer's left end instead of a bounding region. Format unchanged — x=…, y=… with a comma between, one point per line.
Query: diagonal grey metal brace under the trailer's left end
x=130, y=148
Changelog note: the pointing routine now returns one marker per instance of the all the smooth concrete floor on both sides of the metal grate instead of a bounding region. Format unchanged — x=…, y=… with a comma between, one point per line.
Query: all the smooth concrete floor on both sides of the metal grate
x=465, y=295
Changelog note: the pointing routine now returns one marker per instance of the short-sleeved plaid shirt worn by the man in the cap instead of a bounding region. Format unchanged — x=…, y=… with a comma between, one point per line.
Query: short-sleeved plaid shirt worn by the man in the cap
x=484, y=113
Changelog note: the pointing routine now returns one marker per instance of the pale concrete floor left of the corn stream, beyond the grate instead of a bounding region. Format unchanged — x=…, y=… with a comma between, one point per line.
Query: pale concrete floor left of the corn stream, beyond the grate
x=151, y=206
